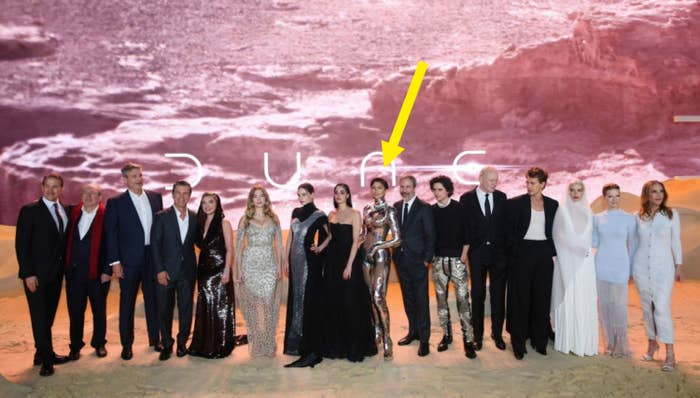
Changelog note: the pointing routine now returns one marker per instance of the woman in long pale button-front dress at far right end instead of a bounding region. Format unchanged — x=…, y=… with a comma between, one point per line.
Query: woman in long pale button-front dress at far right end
x=656, y=265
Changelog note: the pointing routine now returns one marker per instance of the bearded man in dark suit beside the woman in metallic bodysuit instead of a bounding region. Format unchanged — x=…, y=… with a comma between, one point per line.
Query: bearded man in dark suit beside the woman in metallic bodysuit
x=414, y=257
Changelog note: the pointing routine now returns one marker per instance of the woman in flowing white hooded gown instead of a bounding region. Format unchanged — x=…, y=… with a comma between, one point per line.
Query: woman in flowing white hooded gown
x=574, y=309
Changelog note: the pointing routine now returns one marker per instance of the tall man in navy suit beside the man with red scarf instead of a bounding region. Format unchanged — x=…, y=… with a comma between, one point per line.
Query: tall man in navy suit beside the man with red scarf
x=128, y=220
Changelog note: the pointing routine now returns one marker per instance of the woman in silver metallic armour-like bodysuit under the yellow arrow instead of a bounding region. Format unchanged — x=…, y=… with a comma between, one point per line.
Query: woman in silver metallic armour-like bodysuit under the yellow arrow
x=379, y=218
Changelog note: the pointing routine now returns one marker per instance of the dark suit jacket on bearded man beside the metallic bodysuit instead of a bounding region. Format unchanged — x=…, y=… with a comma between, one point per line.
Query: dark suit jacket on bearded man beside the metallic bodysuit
x=418, y=232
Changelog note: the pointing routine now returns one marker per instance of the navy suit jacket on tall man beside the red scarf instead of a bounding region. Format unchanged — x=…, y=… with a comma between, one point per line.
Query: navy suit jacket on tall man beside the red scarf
x=124, y=232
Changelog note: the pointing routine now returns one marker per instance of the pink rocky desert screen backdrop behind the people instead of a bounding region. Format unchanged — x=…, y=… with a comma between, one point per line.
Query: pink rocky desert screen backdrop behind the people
x=586, y=89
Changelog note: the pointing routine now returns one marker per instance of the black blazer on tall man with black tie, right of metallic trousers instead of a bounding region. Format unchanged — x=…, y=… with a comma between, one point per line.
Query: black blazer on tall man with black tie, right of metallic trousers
x=477, y=231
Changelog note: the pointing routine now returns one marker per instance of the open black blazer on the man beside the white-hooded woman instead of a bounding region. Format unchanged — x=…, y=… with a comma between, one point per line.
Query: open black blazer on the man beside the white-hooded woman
x=519, y=220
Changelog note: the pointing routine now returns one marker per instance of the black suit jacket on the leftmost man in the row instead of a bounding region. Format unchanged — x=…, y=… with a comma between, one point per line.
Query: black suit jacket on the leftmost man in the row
x=39, y=245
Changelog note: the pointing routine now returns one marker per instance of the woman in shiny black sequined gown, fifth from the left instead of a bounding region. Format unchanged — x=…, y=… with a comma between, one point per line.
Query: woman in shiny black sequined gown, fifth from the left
x=215, y=323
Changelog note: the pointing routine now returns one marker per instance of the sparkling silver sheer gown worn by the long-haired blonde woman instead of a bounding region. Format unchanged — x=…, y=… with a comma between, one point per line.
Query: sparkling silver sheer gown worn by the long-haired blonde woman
x=259, y=292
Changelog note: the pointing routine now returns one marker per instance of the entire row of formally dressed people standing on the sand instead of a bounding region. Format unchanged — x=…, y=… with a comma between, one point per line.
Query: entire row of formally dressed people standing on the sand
x=337, y=266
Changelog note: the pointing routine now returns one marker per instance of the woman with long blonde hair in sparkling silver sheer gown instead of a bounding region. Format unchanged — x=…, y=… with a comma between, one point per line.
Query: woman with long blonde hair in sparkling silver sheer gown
x=257, y=271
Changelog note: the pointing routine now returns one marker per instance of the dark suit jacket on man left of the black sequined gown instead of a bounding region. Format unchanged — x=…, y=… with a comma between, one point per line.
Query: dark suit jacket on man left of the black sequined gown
x=168, y=251
